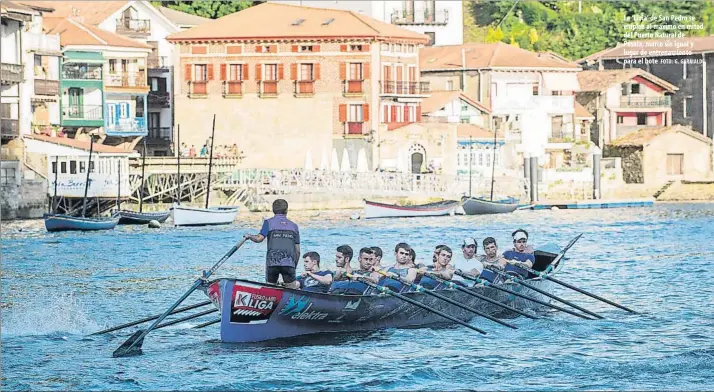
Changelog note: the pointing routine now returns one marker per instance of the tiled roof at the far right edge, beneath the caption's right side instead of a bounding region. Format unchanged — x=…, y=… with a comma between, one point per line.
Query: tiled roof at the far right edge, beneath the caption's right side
x=693, y=44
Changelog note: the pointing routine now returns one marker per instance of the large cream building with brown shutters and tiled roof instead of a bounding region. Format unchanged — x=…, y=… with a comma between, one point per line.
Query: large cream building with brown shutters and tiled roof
x=293, y=84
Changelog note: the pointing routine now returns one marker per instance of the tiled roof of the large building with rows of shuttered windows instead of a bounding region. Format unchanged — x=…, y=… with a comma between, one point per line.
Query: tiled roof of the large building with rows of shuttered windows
x=272, y=21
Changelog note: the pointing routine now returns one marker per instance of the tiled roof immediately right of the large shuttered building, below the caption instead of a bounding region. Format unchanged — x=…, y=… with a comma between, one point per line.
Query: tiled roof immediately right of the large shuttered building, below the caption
x=488, y=56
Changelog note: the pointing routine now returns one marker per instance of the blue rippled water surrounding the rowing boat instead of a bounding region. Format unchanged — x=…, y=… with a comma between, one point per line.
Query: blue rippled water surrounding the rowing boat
x=57, y=288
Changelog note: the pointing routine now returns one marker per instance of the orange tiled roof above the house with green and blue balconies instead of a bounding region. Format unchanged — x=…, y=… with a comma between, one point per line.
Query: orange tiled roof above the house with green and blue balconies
x=72, y=32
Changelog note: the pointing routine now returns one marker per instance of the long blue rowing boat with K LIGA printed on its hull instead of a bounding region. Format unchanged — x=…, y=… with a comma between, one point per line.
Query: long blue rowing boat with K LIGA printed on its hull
x=254, y=311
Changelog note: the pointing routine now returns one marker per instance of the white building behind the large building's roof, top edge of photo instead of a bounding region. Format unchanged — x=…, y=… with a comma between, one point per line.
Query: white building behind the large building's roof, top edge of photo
x=442, y=20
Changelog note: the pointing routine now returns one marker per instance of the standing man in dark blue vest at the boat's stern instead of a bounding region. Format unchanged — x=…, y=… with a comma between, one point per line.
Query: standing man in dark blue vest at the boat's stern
x=283, y=245
